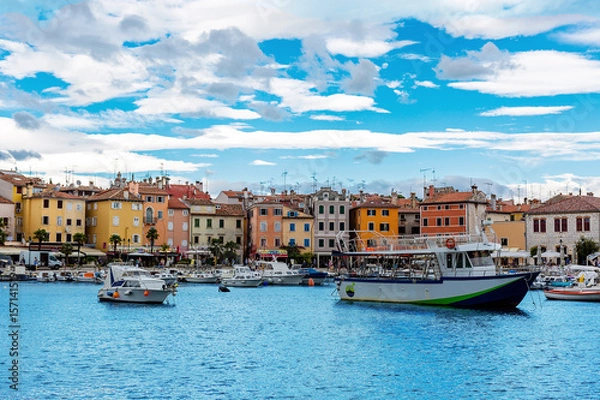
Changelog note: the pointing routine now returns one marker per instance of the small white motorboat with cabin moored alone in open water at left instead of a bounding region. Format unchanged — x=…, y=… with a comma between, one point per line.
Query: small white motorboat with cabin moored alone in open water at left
x=126, y=283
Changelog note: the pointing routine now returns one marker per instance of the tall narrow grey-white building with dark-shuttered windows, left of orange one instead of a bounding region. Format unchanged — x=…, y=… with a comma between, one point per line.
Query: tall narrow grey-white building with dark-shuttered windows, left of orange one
x=331, y=211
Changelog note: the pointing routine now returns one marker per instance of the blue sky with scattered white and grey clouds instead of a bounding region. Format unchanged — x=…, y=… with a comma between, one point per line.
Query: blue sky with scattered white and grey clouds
x=374, y=96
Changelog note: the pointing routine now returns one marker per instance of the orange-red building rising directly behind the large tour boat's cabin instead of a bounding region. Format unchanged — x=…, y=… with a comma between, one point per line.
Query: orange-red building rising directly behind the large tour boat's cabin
x=447, y=211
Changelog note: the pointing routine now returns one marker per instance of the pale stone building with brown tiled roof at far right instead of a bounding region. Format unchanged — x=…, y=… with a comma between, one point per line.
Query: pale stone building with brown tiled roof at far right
x=559, y=223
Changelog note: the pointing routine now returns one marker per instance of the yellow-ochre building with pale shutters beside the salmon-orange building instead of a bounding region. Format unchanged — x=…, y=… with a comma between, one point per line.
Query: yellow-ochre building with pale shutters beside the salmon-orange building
x=115, y=212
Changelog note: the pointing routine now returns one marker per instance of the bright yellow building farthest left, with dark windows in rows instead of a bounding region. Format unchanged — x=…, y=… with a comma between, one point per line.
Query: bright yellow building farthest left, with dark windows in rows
x=60, y=214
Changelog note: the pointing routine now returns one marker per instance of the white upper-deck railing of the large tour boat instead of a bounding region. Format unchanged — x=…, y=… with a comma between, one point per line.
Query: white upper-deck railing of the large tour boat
x=371, y=241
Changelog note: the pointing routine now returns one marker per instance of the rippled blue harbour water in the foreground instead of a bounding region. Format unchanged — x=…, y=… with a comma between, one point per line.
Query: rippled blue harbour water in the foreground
x=293, y=343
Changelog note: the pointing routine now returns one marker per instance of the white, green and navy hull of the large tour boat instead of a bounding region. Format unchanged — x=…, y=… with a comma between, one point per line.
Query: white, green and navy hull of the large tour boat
x=499, y=291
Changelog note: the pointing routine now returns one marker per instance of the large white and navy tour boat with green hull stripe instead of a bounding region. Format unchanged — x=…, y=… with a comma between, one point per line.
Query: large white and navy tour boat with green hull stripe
x=450, y=270
